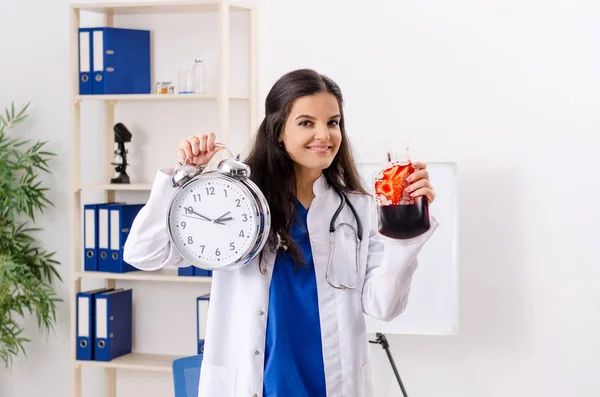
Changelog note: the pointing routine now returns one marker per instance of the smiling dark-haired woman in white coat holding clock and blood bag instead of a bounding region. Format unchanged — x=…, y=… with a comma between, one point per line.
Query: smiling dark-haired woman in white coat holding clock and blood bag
x=290, y=323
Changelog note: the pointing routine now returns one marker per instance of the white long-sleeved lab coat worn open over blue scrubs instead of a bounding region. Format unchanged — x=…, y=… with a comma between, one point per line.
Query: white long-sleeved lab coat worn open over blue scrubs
x=233, y=359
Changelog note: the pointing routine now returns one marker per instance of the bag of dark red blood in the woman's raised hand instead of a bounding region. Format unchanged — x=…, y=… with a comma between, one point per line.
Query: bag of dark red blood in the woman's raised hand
x=399, y=215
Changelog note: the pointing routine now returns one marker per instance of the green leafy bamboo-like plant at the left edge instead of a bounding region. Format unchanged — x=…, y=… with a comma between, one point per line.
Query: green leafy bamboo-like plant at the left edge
x=26, y=270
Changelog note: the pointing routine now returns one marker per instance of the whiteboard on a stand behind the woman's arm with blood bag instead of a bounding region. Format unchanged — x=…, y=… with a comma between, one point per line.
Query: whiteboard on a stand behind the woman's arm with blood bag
x=432, y=307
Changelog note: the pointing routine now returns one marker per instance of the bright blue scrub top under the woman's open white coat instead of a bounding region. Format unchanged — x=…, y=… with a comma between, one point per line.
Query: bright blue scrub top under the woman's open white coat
x=293, y=353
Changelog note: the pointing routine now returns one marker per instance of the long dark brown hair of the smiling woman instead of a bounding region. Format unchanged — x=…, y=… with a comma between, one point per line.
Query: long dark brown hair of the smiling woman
x=273, y=169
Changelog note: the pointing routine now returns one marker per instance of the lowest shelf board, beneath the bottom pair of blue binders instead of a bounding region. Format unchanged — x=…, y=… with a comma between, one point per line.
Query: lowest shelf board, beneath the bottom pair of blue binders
x=136, y=361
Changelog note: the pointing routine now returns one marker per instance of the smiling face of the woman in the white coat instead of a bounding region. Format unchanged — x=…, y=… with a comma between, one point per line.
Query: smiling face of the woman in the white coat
x=312, y=135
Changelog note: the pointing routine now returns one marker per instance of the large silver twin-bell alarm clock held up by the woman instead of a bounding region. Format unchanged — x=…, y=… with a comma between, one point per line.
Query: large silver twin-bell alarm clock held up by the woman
x=218, y=219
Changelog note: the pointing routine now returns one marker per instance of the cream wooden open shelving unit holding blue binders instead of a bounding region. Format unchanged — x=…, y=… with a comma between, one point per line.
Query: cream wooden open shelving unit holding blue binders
x=223, y=8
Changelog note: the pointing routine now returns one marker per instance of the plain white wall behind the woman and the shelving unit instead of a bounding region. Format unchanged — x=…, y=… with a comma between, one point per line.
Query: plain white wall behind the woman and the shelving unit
x=508, y=89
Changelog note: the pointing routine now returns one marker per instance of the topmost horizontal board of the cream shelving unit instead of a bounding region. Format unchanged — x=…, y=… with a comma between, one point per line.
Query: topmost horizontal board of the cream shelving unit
x=164, y=7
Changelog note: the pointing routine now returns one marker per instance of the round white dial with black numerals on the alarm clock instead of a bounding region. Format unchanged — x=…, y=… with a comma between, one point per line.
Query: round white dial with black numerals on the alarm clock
x=212, y=222
